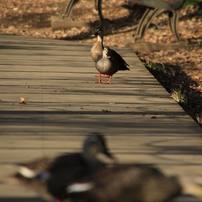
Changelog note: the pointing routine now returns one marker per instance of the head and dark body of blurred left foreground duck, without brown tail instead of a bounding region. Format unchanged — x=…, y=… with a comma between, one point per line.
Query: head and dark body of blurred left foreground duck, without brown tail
x=78, y=166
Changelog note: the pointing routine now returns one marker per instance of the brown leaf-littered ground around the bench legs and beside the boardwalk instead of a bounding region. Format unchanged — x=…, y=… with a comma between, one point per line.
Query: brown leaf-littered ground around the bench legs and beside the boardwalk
x=179, y=71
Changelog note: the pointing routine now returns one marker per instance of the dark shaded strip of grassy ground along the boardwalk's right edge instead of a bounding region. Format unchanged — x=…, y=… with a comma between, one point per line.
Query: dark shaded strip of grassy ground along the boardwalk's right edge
x=179, y=85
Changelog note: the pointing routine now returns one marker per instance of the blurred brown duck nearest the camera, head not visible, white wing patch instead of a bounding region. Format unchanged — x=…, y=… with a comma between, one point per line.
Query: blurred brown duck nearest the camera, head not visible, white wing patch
x=130, y=183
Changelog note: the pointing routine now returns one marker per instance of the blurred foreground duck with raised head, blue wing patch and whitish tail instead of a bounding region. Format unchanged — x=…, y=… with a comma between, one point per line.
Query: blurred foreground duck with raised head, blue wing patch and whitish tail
x=50, y=176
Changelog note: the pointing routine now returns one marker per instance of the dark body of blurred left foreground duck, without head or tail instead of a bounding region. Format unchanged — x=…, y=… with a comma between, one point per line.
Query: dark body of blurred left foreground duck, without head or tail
x=68, y=169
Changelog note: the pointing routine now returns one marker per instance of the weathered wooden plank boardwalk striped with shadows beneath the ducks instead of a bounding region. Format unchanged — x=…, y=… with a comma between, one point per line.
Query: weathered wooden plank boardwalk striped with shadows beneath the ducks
x=64, y=104
